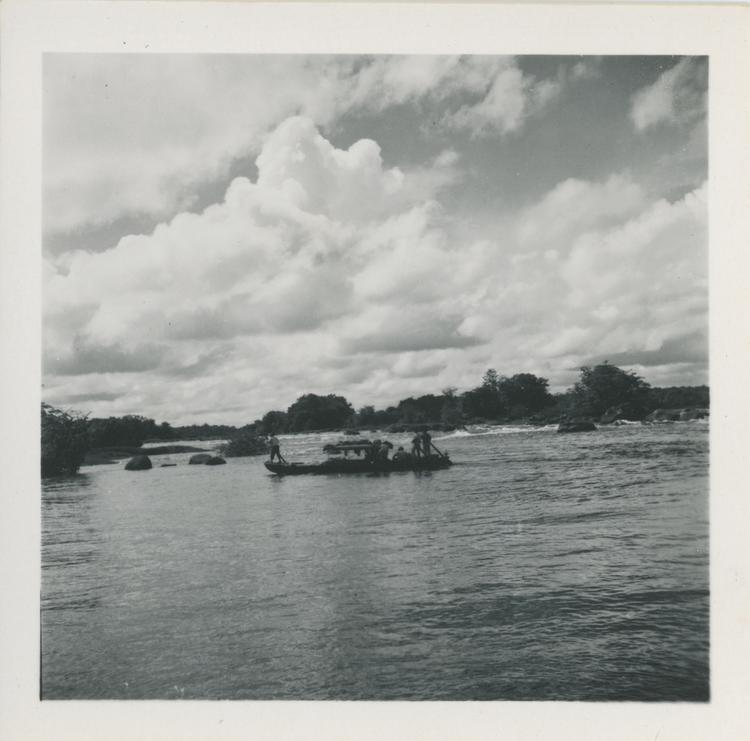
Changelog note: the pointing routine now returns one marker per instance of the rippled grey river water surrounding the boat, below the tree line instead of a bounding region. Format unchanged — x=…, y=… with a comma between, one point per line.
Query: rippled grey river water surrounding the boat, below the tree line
x=541, y=566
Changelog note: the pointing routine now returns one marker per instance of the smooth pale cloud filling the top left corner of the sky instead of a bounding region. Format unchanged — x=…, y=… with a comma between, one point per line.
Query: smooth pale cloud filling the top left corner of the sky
x=130, y=134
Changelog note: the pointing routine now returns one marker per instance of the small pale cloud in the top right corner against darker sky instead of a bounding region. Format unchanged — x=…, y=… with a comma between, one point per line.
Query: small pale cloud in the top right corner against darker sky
x=678, y=96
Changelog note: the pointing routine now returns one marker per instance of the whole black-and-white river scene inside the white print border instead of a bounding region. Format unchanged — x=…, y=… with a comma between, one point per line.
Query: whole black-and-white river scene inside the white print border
x=375, y=377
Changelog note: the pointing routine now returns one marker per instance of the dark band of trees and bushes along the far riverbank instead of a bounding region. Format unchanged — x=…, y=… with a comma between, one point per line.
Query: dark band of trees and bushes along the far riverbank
x=603, y=393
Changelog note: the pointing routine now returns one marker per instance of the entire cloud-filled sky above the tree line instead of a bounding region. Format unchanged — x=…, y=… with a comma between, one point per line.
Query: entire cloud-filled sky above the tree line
x=224, y=233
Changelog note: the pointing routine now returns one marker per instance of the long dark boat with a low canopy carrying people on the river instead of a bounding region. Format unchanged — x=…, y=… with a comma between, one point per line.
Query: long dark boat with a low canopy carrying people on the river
x=340, y=462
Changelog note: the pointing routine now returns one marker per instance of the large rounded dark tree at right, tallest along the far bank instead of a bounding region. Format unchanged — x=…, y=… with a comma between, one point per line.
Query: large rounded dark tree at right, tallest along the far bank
x=605, y=386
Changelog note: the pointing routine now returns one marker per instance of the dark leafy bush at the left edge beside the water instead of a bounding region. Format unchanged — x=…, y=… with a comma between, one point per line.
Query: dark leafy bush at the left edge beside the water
x=64, y=441
